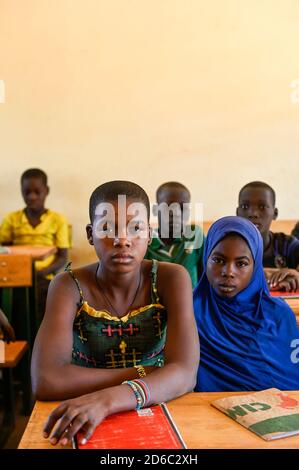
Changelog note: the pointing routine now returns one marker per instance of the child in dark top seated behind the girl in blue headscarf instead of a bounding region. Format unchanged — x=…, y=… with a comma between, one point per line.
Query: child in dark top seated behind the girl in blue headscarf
x=281, y=251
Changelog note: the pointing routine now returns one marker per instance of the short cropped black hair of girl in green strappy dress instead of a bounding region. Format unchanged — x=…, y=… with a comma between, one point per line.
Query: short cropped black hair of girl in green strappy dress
x=109, y=192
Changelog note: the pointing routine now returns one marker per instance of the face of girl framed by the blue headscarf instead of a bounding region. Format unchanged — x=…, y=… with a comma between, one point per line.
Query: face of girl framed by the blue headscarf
x=230, y=266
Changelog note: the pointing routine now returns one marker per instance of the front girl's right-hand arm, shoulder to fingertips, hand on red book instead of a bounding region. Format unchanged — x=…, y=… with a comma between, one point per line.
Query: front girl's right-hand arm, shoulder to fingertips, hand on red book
x=177, y=377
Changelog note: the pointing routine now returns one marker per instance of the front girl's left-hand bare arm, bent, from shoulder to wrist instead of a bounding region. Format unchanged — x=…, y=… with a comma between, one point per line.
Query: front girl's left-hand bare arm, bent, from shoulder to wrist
x=53, y=375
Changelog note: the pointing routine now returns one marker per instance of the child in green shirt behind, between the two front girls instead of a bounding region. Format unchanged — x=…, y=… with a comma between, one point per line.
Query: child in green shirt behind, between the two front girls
x=169, y=242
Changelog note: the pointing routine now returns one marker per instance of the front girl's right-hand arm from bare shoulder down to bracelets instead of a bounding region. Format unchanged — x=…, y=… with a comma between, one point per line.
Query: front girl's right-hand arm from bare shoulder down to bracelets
x=178, y=376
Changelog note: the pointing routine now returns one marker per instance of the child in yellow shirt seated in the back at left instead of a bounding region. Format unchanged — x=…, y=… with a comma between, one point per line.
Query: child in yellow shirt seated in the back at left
x=36, y=225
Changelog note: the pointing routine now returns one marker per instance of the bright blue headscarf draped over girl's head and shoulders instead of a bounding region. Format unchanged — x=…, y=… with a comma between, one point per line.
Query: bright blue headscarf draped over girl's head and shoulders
x=245, y=341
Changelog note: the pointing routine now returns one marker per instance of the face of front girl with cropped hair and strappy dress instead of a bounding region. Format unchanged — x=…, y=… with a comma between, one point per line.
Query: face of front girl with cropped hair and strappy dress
x=120, y=235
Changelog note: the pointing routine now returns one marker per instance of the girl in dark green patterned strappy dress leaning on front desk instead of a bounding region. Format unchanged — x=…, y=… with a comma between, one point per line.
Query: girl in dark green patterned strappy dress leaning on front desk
x=118, y=334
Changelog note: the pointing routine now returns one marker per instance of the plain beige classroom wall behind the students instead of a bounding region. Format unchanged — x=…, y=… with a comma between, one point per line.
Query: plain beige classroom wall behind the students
x=149, y=91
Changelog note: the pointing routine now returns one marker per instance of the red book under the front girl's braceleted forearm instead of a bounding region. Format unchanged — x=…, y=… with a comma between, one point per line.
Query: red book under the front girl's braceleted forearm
x=148, y=428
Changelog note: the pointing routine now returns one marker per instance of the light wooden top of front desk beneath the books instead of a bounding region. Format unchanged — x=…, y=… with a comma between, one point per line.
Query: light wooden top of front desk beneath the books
x=201, y=425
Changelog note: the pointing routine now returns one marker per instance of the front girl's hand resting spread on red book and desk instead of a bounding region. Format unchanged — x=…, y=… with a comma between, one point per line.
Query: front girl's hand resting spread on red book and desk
x=79, y=414
